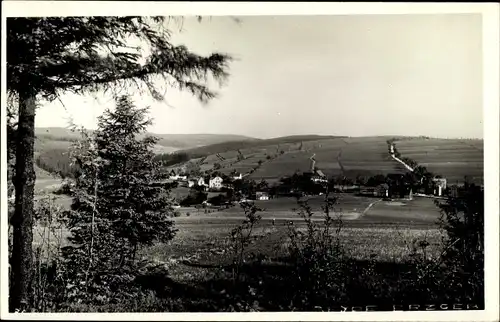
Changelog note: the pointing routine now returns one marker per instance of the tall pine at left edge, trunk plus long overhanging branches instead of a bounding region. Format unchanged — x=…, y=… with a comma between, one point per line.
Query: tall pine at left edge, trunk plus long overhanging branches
x=47, y=56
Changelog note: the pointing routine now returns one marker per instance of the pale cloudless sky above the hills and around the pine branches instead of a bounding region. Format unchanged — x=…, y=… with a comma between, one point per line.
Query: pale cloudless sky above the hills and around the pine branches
x=354, y=75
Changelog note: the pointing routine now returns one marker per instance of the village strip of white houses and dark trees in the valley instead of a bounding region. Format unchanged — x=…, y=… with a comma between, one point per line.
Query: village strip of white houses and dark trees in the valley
x=214, y=188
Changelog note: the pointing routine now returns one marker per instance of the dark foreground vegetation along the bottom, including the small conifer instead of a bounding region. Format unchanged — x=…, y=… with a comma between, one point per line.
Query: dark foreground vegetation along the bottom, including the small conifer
x=121, y=208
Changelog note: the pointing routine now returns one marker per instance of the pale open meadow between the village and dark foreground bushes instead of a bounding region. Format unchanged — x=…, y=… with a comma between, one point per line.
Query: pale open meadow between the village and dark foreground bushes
x=365, y=220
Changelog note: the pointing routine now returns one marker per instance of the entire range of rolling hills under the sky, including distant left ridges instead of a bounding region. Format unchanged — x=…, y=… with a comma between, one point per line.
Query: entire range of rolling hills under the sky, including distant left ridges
x=271, y=159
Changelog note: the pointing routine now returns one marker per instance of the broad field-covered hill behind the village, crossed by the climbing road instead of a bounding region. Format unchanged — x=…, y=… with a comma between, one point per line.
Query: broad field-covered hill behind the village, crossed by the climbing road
x=350, y=157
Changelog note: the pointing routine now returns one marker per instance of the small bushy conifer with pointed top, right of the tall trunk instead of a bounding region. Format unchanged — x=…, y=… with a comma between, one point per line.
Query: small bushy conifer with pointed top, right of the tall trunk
x=120, y=203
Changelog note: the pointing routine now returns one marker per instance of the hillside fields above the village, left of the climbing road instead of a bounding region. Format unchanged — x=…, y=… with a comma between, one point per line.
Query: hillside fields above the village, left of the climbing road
x=338, y=156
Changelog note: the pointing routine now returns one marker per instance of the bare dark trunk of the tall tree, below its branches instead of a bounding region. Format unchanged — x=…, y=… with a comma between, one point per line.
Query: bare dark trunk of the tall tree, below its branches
x=22, y=221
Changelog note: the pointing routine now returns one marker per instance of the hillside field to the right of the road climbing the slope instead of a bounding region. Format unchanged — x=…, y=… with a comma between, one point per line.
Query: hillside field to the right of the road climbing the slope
x=453, y=159
